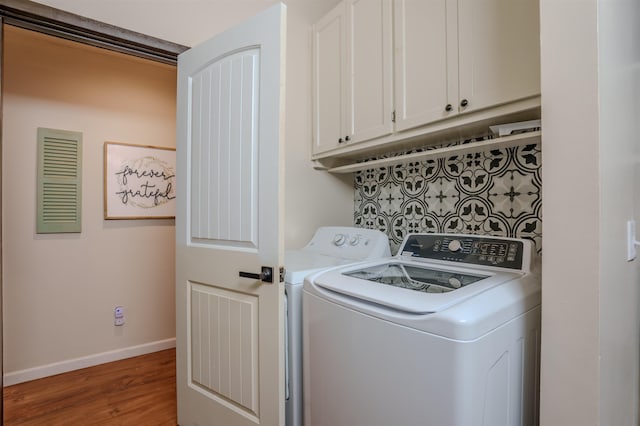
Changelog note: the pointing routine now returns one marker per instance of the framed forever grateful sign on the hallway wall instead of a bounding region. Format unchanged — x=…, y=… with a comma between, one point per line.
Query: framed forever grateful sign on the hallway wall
x=139, y=181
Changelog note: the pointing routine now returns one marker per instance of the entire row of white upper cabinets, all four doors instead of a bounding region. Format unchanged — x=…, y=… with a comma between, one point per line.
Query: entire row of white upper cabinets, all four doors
x=432, y=65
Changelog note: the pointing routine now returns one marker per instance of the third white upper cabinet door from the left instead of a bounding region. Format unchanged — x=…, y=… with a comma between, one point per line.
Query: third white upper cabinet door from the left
x=426, y=62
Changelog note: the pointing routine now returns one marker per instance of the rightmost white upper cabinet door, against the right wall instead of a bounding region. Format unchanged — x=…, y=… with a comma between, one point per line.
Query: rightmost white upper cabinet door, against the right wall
x=499, y=43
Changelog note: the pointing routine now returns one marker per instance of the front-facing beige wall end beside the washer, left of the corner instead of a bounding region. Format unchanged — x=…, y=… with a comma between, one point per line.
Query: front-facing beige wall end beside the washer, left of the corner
x=571, y=215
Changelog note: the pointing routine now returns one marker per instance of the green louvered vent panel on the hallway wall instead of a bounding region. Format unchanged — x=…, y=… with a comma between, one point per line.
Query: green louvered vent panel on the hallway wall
x=59, y=181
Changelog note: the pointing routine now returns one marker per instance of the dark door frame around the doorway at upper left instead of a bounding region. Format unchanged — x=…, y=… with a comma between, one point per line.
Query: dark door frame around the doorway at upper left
x=58, y=23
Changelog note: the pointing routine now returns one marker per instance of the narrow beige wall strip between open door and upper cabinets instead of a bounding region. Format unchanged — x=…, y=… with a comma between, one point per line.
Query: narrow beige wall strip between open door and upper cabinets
x=312, y=197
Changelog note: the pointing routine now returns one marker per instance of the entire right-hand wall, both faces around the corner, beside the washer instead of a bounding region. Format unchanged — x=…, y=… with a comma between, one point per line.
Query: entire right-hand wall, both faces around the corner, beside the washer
x=590, y=330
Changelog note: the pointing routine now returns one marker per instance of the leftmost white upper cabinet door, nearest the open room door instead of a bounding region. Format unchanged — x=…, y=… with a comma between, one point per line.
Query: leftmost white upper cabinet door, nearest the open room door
x=329, y=71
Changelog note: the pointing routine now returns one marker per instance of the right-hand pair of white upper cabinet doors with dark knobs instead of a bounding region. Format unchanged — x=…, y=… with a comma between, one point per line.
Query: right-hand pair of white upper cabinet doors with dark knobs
x=460, y=56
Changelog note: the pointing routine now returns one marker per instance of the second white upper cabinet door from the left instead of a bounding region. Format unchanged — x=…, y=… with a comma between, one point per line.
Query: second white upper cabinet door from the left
x=370, y=68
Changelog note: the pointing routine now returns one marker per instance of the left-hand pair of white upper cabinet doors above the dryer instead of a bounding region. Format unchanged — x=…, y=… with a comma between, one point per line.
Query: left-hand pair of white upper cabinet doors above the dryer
x=352, y=74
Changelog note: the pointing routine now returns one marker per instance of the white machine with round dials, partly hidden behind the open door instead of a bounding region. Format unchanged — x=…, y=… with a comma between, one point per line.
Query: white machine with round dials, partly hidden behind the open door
x=330, y=246
